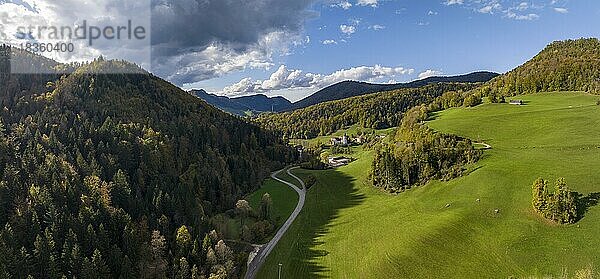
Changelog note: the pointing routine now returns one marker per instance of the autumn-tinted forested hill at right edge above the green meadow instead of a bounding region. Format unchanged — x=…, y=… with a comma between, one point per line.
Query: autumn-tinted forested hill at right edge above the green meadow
x=572, y=65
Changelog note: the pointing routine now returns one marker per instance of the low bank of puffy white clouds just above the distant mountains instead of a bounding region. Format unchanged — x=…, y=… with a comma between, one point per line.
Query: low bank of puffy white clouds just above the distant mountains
x=285, y=78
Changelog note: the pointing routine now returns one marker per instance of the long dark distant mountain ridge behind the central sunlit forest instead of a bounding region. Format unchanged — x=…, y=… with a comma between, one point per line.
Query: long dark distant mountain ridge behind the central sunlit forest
x=347, y=89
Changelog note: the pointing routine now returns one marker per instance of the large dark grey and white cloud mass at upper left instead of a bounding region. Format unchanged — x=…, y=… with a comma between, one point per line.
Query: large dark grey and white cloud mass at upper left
x=189, y=42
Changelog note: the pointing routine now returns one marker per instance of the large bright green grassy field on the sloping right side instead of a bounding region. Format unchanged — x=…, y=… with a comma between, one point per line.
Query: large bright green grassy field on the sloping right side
x=350, y=230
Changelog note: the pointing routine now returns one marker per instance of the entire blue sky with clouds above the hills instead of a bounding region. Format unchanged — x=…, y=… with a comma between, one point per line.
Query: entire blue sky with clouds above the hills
x=295, y=47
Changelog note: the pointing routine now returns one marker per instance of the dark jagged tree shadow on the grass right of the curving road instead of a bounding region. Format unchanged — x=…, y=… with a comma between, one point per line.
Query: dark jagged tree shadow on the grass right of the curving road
x=335, y=191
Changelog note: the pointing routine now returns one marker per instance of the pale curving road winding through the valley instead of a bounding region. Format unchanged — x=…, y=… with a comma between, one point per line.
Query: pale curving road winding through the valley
x=265, y=250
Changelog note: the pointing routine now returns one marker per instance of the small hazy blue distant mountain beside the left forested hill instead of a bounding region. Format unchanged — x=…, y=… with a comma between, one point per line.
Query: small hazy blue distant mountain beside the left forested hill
x=244, y=105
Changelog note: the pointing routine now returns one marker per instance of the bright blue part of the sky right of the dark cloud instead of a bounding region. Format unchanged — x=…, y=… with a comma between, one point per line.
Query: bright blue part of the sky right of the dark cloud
x=437, y=37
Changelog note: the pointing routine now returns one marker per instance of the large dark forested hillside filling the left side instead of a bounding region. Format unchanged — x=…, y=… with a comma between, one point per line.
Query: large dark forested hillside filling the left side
x=115, y=176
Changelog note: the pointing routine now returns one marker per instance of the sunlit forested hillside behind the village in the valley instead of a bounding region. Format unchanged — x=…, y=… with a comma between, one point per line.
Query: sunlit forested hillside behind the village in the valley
x=378, y=110
